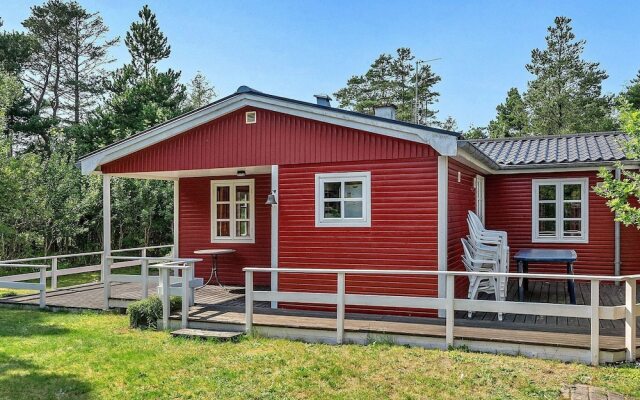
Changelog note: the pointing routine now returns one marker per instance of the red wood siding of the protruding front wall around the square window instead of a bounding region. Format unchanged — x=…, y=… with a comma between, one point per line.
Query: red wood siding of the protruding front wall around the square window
x=403, y=233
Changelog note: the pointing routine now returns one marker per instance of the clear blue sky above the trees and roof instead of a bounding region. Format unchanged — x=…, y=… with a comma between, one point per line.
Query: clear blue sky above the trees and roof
x=299, y=48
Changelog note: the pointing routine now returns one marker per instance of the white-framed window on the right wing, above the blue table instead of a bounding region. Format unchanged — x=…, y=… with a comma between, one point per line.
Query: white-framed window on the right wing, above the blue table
x=560, y=210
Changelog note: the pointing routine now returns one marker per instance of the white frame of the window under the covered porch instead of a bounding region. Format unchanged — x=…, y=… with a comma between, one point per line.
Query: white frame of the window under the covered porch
x=232, y=183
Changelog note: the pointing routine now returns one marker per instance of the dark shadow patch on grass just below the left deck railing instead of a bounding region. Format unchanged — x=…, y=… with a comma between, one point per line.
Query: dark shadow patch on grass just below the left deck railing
x=25, y=323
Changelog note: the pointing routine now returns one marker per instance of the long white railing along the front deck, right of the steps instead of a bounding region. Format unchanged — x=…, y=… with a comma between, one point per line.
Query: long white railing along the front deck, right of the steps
x=629, y=311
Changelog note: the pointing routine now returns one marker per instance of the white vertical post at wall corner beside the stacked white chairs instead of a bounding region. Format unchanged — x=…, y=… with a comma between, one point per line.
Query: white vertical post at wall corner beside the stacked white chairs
x=443, y=195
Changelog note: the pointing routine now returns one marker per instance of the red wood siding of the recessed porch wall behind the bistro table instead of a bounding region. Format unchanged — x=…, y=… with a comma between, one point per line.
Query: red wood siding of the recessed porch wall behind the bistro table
x=195, y=231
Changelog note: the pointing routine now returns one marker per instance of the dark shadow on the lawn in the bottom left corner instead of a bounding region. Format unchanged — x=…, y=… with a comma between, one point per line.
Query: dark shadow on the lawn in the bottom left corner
x=21, y=379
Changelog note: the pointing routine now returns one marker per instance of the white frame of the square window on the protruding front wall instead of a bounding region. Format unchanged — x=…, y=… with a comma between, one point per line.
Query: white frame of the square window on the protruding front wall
x=342, y=177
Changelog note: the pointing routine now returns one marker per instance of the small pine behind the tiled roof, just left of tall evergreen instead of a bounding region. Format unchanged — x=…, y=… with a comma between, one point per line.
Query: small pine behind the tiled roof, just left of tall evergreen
x=512, y=119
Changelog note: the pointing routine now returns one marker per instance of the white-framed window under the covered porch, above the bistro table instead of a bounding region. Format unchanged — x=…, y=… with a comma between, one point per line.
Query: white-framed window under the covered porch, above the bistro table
x=232, y=211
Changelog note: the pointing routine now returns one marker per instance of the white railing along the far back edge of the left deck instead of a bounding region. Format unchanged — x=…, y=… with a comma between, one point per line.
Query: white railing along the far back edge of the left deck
x=54, y=272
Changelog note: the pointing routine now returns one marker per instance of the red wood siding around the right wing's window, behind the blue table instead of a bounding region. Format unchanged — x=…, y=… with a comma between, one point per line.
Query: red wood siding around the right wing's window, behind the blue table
x=508, y=208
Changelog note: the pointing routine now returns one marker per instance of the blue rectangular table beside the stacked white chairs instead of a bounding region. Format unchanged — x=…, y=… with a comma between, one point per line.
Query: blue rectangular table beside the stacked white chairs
x=550, y=256
